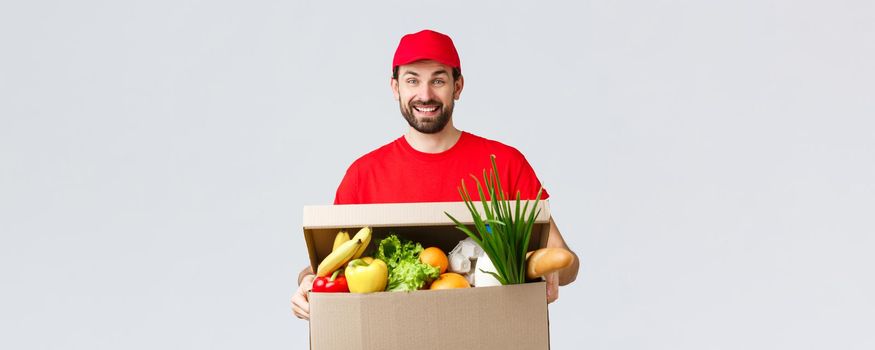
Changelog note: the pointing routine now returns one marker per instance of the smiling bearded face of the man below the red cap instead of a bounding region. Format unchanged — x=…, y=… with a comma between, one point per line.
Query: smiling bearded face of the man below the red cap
x=425, y=91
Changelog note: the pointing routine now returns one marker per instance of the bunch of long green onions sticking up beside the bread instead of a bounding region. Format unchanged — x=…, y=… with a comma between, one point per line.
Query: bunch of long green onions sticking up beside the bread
x=503, y=234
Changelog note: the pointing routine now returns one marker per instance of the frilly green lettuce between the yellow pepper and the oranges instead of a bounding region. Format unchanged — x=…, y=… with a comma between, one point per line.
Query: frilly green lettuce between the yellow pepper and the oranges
x=406, y=272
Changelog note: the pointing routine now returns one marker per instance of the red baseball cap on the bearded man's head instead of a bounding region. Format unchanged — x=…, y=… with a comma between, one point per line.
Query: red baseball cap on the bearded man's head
x=426, y=45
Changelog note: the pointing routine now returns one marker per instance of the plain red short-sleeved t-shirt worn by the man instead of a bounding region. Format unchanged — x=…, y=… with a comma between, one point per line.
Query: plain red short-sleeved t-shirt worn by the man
x=397, y=173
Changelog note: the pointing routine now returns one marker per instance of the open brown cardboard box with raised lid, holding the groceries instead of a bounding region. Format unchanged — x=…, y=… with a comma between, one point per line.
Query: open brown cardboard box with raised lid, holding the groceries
x=502, y=317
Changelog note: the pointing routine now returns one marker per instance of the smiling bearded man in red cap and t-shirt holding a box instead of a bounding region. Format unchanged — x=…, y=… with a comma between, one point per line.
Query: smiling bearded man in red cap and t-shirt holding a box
x=428, y=162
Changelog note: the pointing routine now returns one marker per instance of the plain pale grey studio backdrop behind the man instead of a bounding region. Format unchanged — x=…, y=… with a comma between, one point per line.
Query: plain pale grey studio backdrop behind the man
x=712, y=162
